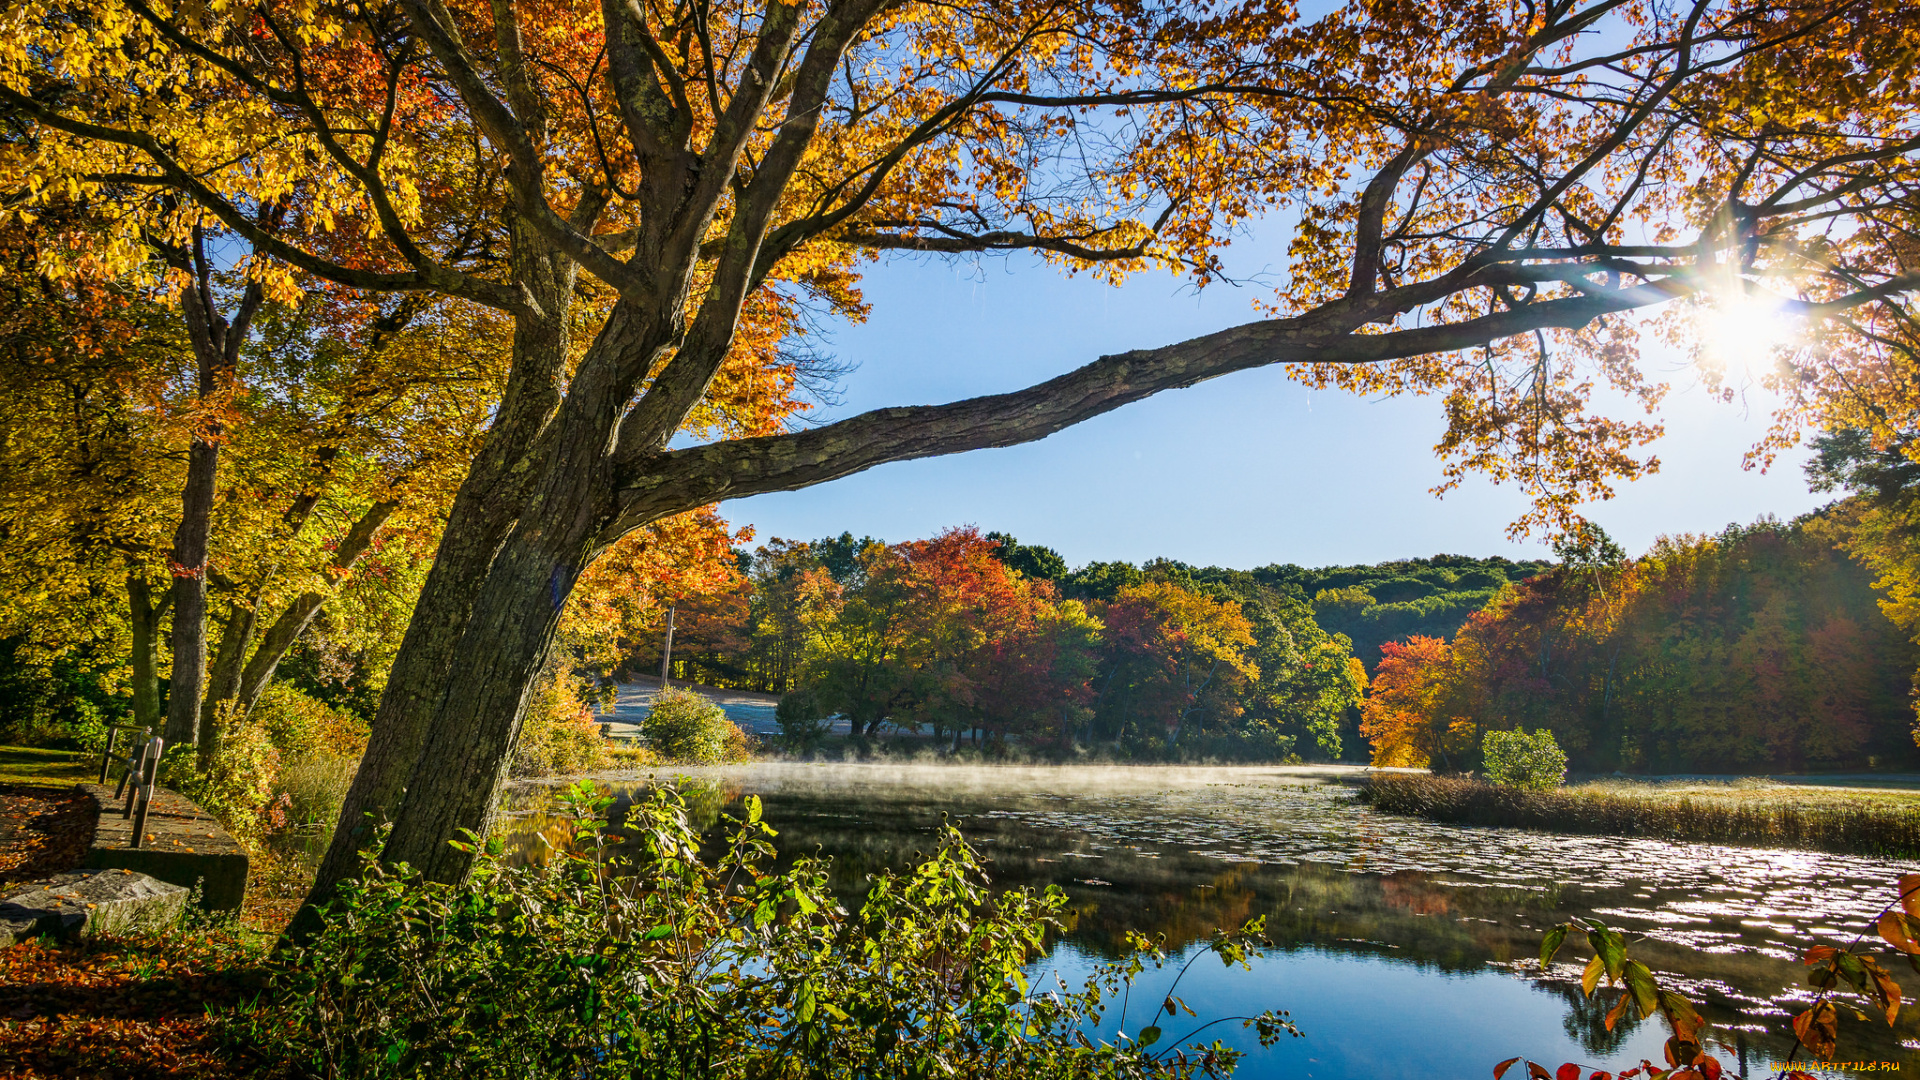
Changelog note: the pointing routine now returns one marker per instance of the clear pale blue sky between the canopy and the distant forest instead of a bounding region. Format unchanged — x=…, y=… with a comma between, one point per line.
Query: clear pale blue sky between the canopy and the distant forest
x=1237, y=472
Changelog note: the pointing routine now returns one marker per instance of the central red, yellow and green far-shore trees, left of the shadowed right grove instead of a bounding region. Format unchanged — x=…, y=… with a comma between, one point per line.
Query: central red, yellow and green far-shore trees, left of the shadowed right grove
x=1164, y=658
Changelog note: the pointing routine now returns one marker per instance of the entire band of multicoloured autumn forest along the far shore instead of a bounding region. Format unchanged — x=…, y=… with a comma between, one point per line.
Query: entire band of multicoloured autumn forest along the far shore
x=1764, y=649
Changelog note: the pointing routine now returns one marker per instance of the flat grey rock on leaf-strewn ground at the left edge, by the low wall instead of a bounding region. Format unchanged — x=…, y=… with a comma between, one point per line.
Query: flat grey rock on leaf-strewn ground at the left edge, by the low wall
x=84, y=904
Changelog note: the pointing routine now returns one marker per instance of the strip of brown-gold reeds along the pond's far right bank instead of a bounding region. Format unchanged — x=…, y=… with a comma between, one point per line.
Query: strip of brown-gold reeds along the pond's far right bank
x=1744, y=812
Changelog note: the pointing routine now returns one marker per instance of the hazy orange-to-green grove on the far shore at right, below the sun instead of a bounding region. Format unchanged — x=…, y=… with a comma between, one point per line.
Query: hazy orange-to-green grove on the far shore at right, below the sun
x=1760, y=650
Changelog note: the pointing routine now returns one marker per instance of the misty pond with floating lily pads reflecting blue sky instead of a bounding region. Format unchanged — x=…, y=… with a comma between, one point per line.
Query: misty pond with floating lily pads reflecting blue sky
x=1401, y=946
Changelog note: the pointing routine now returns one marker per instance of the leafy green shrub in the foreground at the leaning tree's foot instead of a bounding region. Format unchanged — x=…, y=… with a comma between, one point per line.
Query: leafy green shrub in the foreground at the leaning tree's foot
x=663, y=966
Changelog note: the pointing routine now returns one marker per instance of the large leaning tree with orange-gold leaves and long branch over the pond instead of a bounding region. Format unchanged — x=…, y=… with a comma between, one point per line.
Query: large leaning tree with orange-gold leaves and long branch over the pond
x=1481, y=199
